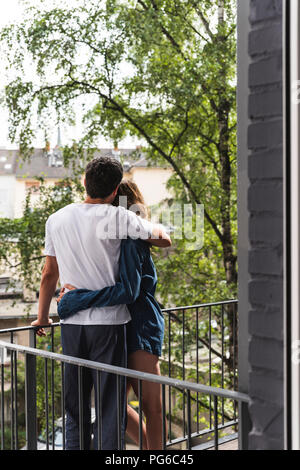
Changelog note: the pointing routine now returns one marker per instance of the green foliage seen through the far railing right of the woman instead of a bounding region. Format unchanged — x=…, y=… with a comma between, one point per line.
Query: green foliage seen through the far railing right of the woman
x=185, y=359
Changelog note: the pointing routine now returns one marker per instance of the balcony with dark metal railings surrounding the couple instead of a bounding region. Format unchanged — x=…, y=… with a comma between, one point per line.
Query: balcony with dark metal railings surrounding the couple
x=200, y=402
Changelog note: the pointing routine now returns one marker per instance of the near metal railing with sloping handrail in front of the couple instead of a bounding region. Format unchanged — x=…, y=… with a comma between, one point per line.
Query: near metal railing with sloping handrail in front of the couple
x=30, y=354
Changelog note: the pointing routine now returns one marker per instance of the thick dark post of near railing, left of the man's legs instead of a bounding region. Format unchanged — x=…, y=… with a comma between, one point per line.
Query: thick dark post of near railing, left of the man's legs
x=30, y=402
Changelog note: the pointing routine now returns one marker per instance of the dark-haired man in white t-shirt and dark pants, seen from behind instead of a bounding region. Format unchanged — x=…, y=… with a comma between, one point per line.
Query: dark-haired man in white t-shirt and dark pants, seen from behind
x=81, y=250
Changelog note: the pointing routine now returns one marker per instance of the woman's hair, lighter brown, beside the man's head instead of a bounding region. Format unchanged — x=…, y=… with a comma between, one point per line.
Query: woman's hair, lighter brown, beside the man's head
x=134, y=197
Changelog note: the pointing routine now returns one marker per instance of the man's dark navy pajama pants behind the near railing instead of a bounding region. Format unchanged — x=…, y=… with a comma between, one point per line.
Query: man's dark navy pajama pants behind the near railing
x=99, y=343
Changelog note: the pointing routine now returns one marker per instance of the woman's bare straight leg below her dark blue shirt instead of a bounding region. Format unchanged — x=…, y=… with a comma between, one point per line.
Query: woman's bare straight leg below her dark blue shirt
x=143, y=361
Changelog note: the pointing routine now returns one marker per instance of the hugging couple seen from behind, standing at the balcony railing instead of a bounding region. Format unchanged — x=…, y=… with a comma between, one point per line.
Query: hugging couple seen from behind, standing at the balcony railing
x=100, y=252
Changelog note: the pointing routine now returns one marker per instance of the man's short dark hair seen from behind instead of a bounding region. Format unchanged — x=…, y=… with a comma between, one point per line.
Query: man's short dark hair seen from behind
x=102, y=176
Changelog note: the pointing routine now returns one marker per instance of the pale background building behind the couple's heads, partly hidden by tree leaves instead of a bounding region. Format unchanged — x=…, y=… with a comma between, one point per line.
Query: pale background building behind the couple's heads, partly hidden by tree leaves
x=16, y=176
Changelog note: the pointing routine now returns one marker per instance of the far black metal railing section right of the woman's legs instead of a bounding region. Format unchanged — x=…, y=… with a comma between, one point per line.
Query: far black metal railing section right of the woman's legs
x=201, y=345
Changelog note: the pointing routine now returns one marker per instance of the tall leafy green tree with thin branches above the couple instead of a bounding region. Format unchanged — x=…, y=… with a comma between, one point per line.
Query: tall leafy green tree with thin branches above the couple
x=162, y=70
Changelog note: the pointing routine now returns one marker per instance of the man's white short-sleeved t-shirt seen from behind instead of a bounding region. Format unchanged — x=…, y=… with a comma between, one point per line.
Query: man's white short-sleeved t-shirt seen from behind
x=86, y=240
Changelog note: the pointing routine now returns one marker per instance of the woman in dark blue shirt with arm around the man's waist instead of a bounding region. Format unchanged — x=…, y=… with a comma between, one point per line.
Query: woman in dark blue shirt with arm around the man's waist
x=136, y=288
